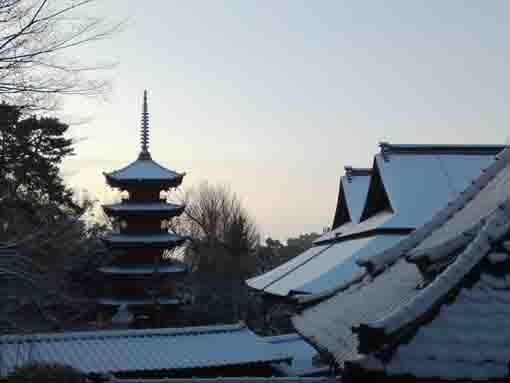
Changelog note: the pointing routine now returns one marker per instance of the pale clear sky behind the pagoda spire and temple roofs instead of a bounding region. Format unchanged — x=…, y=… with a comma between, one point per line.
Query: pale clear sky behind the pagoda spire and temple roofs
x=275, y=97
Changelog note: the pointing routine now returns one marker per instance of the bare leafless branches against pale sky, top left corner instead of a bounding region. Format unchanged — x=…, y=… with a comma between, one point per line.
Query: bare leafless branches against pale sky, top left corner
x=35, y=39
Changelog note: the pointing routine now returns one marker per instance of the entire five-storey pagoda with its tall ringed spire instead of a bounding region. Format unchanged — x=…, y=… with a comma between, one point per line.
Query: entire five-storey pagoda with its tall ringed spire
x=140, y=276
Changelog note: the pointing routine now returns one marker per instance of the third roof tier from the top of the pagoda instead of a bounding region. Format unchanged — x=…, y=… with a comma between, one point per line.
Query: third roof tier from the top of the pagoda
x=161, y=240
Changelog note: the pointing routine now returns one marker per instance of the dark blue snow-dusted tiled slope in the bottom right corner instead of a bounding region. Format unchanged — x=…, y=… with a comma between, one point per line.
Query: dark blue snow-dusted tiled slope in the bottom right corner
x=468, y=339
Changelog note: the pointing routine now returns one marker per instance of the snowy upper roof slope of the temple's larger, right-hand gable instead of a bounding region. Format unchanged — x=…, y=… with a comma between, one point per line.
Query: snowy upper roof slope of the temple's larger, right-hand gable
x=414, y=174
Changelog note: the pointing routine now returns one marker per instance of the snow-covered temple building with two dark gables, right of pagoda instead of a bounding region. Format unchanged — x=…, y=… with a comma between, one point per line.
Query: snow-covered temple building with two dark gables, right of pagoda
x=377, y=208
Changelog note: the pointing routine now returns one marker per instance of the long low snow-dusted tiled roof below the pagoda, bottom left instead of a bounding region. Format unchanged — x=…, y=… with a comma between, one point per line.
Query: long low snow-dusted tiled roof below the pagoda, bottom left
x=141, y=350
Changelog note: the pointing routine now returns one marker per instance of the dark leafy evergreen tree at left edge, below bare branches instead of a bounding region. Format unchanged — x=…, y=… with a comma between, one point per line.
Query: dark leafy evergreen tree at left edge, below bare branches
x=31, y=150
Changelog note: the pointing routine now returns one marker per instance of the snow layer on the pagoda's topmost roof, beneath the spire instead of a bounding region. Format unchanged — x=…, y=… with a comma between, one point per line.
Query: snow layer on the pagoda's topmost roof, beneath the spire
x=143, y=170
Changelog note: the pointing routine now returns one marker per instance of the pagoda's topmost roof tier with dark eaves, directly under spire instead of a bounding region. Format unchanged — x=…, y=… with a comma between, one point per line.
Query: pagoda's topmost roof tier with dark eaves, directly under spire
x=144, y=171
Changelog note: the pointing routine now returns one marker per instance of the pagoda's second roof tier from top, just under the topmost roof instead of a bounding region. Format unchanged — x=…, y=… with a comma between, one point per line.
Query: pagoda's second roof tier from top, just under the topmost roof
x=157, y=209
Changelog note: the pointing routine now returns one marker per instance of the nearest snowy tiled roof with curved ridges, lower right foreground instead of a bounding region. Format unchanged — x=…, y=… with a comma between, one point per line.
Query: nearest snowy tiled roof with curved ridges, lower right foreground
x=448, y=325
